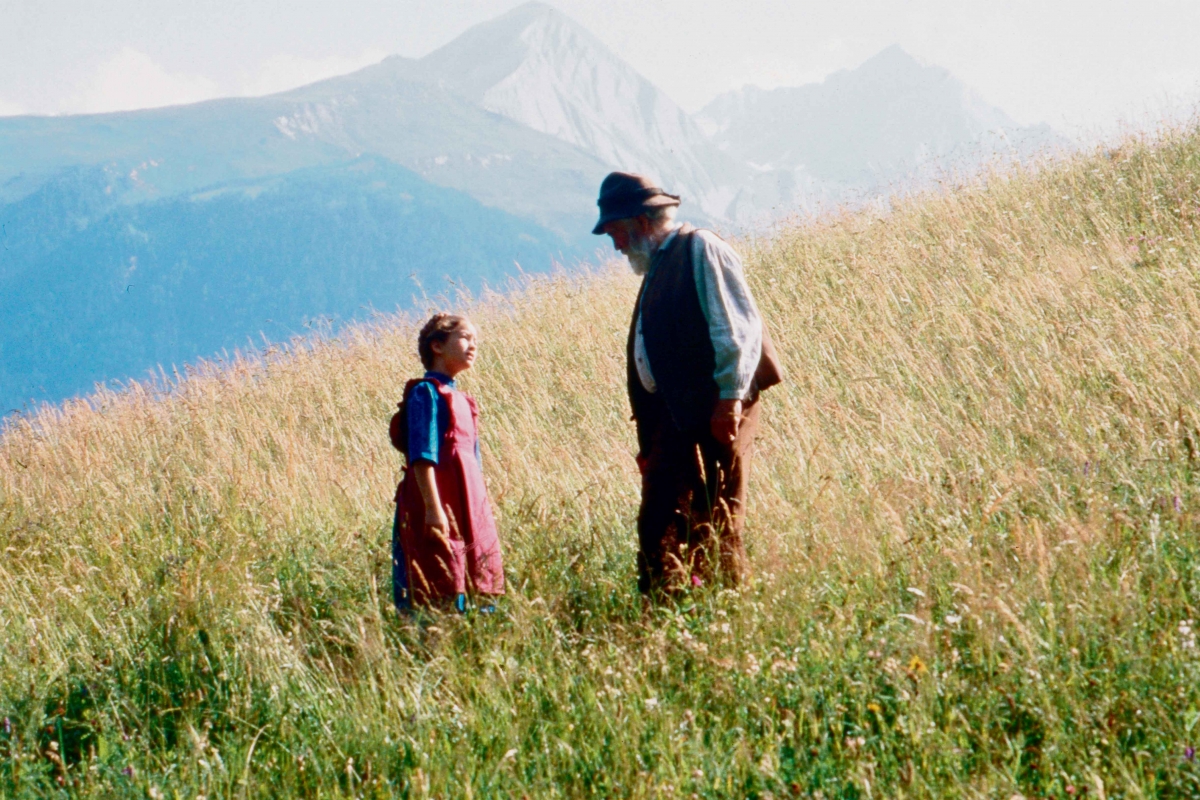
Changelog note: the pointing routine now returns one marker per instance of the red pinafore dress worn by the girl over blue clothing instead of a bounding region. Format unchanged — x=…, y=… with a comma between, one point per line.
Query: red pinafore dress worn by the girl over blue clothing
x=469, y=561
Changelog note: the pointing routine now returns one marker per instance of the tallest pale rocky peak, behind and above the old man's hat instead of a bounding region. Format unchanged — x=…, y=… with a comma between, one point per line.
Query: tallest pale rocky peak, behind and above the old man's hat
x=538, y=68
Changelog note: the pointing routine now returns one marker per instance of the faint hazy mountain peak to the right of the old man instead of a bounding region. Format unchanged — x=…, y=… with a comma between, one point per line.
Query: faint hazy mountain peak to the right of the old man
x=860, y=134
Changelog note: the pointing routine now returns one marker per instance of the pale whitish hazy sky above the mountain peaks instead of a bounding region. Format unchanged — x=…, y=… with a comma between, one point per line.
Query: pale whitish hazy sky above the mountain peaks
x=1079, y=65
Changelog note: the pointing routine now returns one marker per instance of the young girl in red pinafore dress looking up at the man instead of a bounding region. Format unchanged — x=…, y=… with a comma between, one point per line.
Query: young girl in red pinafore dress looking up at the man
x=445, y=543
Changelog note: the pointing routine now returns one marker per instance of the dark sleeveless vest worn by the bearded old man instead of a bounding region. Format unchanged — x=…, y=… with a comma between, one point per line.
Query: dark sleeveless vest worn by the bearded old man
x=679, y=345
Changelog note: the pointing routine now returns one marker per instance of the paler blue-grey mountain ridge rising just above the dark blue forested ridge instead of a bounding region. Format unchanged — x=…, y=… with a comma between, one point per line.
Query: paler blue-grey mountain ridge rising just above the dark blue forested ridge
x=391, y=110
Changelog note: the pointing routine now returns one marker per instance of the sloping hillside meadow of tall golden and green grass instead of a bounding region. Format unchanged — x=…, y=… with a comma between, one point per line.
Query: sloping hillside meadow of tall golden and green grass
x=974, y=526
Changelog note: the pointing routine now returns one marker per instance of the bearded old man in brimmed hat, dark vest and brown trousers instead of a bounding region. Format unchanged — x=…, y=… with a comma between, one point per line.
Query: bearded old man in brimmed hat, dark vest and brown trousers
x=698, y=359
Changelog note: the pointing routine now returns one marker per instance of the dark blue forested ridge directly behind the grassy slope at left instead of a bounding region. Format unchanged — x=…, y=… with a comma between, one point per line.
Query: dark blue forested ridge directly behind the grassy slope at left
x=95, y=290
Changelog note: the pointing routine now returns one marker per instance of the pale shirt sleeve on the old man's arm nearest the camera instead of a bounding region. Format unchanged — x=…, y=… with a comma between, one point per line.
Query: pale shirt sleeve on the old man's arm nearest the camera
x=734, y=321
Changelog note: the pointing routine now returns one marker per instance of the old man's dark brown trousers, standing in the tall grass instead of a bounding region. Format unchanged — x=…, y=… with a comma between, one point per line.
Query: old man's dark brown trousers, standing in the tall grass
x=694, y=494
